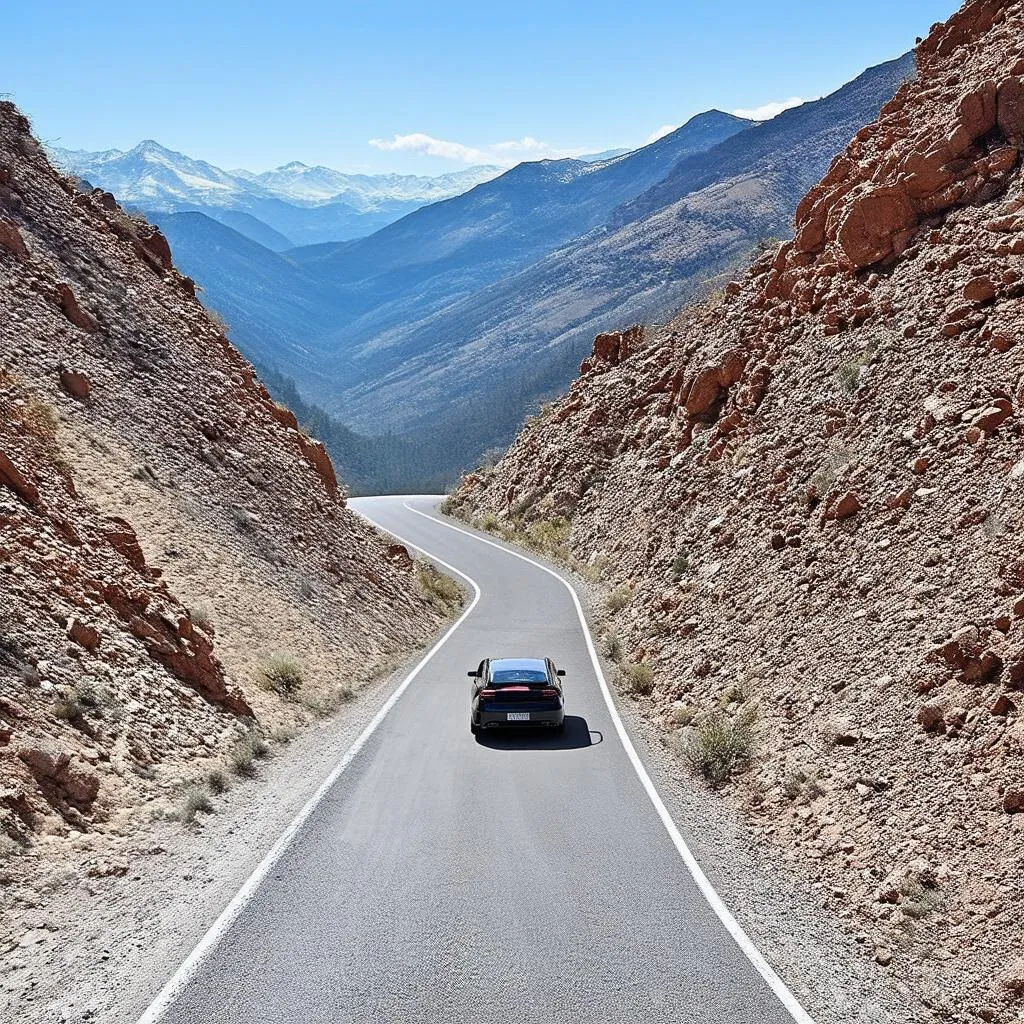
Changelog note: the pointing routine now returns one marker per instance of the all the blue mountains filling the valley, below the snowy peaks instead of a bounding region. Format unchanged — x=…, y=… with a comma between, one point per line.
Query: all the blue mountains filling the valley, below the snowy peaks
x=440, y=332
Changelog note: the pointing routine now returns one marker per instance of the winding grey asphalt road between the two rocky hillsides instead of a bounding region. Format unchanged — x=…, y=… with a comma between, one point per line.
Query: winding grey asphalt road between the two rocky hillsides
x=448, y=879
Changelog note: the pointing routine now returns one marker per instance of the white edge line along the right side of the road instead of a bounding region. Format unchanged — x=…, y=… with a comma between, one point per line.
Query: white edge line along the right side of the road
x=711, y=895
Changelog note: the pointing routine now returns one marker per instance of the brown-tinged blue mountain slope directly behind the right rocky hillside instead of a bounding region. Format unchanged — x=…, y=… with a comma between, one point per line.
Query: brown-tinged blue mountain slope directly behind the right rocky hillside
x=653, y=254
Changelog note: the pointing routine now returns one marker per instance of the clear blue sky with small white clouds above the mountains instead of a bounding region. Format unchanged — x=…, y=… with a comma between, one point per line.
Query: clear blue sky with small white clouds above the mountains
x=437, y=84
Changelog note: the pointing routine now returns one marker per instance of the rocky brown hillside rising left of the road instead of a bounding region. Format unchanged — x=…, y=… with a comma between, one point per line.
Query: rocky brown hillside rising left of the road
x=165, y=532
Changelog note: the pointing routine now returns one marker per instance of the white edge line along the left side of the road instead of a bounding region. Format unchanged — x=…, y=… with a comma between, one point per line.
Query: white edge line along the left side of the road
x=185, y=974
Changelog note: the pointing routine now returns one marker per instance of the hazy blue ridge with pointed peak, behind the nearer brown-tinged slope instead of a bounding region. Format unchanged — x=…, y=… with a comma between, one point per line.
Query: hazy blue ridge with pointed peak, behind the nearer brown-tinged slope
x=447, y=251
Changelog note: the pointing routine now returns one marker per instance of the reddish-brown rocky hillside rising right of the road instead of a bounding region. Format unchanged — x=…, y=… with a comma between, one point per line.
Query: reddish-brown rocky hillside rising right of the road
x=807, y=497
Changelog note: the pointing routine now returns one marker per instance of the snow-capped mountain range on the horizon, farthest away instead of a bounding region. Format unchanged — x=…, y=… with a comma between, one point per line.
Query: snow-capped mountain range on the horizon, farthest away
x=289, y=206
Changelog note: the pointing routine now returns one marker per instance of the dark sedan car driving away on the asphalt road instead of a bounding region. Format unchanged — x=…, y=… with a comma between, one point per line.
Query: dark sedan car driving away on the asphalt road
x=518, y=692
